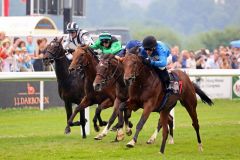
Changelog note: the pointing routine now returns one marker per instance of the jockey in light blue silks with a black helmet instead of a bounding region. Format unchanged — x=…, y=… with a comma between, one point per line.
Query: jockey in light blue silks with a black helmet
x=156, y=54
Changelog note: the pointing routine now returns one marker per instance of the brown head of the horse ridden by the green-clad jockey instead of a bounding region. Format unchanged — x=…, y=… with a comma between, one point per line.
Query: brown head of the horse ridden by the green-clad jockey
x=81, y=58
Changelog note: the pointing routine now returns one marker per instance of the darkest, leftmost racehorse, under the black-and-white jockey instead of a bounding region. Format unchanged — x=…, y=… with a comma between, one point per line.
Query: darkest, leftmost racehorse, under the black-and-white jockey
x=70, y=87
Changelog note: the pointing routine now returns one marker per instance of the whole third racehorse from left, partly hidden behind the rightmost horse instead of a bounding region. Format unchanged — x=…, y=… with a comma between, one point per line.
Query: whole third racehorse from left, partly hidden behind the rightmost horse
x=110, y=72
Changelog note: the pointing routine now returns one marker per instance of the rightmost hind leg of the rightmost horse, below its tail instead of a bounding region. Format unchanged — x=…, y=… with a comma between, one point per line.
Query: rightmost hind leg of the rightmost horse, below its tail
x=191, y=109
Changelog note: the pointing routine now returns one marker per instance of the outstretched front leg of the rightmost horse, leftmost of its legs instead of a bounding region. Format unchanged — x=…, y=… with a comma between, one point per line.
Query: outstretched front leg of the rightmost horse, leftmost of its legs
x=146, y=112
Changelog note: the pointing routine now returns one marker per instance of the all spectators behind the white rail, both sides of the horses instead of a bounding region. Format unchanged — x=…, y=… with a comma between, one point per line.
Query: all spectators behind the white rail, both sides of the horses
x=19, y=55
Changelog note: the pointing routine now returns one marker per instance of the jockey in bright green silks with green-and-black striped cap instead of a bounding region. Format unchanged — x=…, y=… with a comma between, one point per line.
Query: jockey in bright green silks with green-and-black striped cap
x=107, y=43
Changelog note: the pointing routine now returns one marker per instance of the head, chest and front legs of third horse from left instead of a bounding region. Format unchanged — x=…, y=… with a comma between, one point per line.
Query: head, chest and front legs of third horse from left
x=110, y=74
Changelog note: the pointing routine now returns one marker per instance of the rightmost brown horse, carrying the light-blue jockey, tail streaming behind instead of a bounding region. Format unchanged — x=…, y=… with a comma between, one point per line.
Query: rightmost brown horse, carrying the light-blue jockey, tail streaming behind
x=146, y=90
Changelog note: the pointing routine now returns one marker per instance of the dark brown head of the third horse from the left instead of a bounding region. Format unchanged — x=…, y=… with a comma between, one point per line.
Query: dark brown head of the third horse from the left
x=106, y=70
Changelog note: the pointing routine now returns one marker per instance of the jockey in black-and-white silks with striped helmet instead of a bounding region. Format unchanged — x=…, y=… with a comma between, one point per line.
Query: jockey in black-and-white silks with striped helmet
x=76, y=37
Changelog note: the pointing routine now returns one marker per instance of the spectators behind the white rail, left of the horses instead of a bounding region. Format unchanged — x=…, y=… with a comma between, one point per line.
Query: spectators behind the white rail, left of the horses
x=21, y=55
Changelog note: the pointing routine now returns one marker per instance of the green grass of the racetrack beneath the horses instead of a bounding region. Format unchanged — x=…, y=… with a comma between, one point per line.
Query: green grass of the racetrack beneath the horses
x=33, y=134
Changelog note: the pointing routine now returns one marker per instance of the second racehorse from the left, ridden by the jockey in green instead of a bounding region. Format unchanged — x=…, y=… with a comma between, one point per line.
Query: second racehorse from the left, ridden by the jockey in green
x=85, y=62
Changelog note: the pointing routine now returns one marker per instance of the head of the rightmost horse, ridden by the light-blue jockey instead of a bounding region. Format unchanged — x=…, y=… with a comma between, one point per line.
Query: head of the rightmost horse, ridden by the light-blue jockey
x=132, y=65
